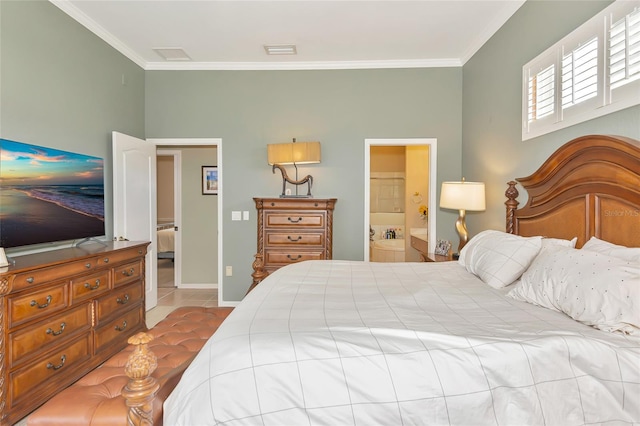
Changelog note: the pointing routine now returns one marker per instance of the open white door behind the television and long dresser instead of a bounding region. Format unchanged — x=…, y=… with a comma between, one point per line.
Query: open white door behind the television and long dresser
x=134, y=201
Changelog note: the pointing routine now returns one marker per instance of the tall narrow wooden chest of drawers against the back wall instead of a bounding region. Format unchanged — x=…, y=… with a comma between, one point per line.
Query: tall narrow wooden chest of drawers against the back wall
x=291, y=230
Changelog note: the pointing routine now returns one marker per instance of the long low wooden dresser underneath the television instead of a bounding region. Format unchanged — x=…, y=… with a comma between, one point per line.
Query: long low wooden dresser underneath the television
x=64, y=312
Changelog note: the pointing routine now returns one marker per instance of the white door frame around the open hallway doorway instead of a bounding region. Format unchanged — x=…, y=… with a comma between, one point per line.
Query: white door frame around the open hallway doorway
x=217, y=142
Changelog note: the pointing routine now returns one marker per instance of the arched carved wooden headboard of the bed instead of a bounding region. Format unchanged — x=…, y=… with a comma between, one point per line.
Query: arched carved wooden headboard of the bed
x=589, y=187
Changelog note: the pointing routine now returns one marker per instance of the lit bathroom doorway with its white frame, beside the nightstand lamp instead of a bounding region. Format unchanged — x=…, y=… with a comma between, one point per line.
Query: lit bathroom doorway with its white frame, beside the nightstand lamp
x=400, y=187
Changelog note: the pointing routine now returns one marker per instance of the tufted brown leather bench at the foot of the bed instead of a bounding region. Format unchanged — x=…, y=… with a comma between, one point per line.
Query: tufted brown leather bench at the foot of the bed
x=97, y=398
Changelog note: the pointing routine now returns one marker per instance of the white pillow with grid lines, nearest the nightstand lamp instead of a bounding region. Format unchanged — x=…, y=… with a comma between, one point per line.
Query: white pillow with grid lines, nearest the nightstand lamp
x=498, y=258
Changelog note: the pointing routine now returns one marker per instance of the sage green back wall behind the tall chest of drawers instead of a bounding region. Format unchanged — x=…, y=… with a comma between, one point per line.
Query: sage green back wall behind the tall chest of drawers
x=340, y=108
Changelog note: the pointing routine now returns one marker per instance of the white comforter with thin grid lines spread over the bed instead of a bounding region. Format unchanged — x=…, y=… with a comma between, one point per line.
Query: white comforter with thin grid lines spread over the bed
x=340, y=342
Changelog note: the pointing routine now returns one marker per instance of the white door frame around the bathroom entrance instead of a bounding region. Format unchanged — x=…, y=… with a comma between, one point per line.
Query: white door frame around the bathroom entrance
x=433, y=161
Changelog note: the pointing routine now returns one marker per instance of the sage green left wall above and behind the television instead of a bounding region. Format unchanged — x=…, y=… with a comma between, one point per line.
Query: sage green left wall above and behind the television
x=61, y=86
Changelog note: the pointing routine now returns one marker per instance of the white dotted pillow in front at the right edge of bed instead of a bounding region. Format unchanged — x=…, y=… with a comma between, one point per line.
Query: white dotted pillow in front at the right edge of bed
x=590, y=287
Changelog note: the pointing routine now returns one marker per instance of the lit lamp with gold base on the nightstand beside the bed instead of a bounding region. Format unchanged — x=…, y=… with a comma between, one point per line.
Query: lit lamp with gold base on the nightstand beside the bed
x=462, y=196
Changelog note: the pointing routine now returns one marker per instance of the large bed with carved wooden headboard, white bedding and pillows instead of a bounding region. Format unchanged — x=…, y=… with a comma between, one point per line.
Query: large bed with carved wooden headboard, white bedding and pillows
x=488, y=339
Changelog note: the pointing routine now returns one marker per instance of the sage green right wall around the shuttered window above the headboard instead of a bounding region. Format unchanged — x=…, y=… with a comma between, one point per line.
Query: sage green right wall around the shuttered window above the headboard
x=492, y=149
